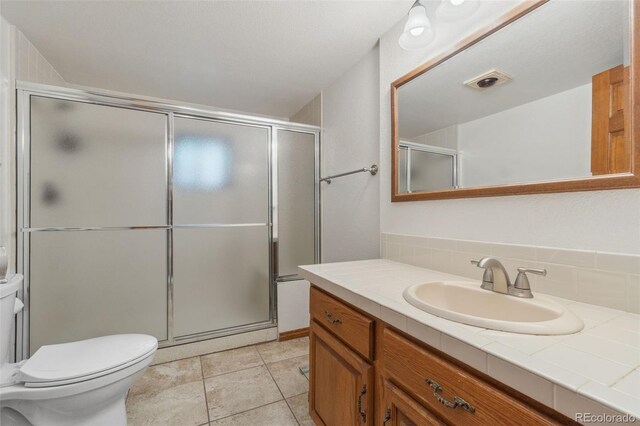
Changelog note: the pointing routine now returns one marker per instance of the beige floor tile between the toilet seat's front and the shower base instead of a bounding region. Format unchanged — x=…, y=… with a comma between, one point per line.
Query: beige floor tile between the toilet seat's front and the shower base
x=164, y=376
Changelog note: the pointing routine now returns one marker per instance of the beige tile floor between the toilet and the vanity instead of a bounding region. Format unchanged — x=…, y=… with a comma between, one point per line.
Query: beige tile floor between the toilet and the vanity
x=255, y=385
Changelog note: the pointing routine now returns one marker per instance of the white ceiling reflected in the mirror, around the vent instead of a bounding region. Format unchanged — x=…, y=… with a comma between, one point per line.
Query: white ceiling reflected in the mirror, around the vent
x=557, y=47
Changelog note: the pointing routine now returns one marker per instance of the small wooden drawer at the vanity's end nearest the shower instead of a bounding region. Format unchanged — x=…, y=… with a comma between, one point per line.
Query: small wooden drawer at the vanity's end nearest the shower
x=355, y=329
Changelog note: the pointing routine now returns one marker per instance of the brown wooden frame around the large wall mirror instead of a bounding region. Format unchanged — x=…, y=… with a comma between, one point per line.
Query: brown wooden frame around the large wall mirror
x=594, y=183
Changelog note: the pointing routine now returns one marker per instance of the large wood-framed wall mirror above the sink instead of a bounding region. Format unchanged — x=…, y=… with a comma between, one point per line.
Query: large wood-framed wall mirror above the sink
x=544, y=101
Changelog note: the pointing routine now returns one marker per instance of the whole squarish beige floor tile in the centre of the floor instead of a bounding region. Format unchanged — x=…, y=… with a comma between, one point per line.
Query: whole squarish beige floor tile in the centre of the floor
x=240, y=391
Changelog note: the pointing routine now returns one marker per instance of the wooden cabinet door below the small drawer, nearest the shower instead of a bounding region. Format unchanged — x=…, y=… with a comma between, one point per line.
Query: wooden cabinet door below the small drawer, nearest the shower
x=341, y=383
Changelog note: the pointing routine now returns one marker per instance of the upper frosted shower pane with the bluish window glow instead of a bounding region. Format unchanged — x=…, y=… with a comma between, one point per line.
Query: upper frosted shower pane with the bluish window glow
x=220, y=172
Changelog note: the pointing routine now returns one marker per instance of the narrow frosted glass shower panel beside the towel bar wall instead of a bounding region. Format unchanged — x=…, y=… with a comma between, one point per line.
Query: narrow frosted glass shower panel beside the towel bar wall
x=296, y=201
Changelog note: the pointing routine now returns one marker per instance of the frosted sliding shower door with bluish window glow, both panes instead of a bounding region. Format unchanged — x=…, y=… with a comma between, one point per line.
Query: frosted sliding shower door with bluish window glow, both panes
x=221, y=226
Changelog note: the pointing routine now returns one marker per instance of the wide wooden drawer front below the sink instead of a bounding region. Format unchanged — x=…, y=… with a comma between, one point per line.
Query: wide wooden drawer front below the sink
x=413, y=367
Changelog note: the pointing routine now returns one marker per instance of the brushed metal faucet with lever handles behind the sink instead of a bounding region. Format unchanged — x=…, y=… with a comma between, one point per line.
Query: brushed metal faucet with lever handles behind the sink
x=496, y=278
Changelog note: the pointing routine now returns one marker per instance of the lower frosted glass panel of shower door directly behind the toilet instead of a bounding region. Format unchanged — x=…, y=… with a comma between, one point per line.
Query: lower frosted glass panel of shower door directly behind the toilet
x=89, y=284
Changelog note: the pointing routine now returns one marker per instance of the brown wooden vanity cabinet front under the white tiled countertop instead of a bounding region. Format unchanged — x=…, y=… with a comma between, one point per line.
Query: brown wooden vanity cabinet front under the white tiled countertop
x=414, y=383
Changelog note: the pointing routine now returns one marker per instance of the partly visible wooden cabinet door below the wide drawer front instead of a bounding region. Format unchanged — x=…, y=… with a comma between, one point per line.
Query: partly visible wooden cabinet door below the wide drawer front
x=399, y=409
